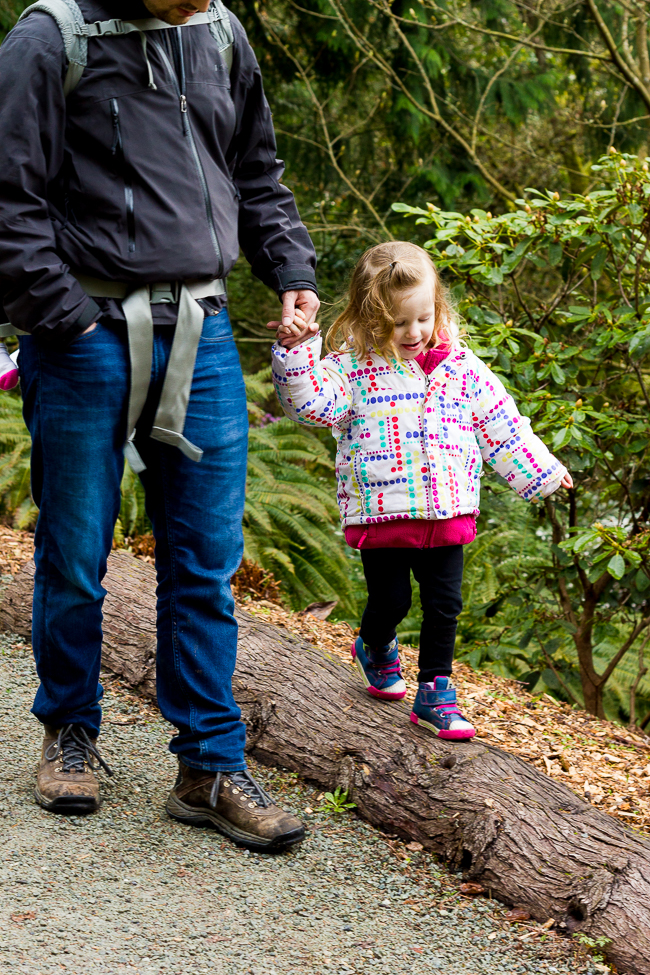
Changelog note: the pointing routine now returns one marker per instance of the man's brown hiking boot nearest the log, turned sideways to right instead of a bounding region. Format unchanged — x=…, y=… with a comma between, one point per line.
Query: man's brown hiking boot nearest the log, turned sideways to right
x=236, y=805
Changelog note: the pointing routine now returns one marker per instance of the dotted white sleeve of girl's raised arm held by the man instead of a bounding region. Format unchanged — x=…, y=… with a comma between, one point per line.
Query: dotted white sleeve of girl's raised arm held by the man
x=311, y=391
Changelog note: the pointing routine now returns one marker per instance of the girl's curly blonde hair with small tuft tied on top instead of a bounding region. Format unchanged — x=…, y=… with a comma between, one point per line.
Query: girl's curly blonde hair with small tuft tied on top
x=382, y=276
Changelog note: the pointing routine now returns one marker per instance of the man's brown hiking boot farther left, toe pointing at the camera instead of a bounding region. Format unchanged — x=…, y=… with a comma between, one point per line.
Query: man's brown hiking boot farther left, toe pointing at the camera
x=66, y=780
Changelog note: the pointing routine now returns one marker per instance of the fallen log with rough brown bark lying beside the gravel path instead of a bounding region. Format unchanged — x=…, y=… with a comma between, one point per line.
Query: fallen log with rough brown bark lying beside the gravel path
x=524, y=836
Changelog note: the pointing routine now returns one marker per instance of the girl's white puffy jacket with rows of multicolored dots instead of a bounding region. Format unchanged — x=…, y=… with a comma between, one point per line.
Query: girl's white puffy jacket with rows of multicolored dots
x=411, y=445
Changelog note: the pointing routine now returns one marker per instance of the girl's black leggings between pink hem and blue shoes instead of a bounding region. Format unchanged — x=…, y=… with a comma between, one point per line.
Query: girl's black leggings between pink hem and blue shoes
x=439, y=572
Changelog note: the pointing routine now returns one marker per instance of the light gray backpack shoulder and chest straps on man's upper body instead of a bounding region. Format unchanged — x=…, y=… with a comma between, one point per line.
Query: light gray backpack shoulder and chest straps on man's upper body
x=75, y=33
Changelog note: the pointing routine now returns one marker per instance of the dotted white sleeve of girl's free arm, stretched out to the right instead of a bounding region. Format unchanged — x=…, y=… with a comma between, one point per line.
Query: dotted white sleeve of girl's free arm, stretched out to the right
x=508, y=444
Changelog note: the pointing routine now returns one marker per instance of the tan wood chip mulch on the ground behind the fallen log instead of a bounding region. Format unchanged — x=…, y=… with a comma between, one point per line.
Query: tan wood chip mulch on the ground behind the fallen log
x=602, y=762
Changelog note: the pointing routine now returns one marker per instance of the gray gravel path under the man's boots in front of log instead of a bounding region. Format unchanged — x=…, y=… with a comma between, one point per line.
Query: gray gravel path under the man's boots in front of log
x=129, y=890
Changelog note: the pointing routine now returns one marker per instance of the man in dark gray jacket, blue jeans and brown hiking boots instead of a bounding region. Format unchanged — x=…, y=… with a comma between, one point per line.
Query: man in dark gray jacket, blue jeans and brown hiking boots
x=122, y=210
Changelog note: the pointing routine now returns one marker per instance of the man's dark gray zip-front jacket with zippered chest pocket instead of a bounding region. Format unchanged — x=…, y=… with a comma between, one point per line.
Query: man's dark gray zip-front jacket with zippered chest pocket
x=120, y=182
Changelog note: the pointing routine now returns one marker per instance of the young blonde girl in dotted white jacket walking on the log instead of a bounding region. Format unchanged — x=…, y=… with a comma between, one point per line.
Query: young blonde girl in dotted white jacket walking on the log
x=414, y=413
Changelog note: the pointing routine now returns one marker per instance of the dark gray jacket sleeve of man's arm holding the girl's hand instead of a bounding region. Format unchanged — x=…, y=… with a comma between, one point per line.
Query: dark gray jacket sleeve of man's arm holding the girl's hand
x=272, y=236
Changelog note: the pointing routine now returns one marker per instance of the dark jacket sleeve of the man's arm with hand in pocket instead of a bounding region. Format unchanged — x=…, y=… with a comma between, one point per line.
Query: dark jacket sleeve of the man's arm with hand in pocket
x=37, y=291
